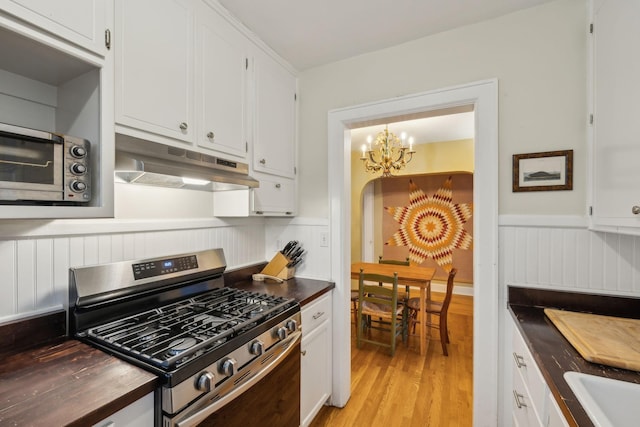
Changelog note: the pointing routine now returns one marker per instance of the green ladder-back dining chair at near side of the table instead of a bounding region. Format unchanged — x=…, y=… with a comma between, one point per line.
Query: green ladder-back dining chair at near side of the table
x=379, y=309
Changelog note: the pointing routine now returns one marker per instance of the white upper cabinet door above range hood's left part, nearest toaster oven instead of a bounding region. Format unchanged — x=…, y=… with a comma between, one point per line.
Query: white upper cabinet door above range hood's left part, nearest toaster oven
x=154, y=67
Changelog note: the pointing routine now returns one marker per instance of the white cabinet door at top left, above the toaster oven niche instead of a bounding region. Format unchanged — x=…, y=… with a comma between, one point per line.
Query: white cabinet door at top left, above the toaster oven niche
x=82, y=22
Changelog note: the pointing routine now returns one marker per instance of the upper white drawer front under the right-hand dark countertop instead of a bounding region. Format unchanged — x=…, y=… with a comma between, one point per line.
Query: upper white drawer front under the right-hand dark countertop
x=526, y=368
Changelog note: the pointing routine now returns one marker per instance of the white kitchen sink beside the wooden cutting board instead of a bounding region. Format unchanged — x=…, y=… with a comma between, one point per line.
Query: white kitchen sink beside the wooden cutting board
x=608, y=402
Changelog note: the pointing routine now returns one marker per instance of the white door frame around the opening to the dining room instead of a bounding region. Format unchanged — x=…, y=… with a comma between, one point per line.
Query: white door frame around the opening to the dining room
x=483, y=96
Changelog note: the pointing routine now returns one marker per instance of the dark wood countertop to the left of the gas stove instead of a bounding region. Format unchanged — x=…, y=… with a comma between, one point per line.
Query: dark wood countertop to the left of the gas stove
x=64, y=382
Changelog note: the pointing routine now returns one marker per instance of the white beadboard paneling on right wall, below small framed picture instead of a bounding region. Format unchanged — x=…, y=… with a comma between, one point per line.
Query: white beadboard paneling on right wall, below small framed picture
x=569, y=257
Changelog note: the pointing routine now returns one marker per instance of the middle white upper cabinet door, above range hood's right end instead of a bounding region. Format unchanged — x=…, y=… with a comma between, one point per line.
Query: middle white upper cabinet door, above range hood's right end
x=221, y=75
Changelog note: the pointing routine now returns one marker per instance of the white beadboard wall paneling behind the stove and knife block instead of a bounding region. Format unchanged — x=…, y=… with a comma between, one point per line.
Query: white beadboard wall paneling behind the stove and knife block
x=35, y=261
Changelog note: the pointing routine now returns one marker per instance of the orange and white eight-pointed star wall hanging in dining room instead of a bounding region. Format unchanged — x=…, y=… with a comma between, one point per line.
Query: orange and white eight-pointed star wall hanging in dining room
x=432, y=226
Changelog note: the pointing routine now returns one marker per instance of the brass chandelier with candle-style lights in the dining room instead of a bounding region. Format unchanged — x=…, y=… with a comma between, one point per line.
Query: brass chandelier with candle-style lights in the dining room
x=388, y=152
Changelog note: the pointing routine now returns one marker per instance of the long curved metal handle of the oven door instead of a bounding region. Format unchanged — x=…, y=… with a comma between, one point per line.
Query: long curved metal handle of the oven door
x=286, y=348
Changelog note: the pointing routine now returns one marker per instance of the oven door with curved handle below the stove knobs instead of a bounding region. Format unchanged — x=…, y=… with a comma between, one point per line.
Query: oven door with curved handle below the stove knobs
x=267, y=392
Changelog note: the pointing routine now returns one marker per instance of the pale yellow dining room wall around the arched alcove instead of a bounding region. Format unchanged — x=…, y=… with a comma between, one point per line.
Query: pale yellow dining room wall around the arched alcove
x=429, y=158
